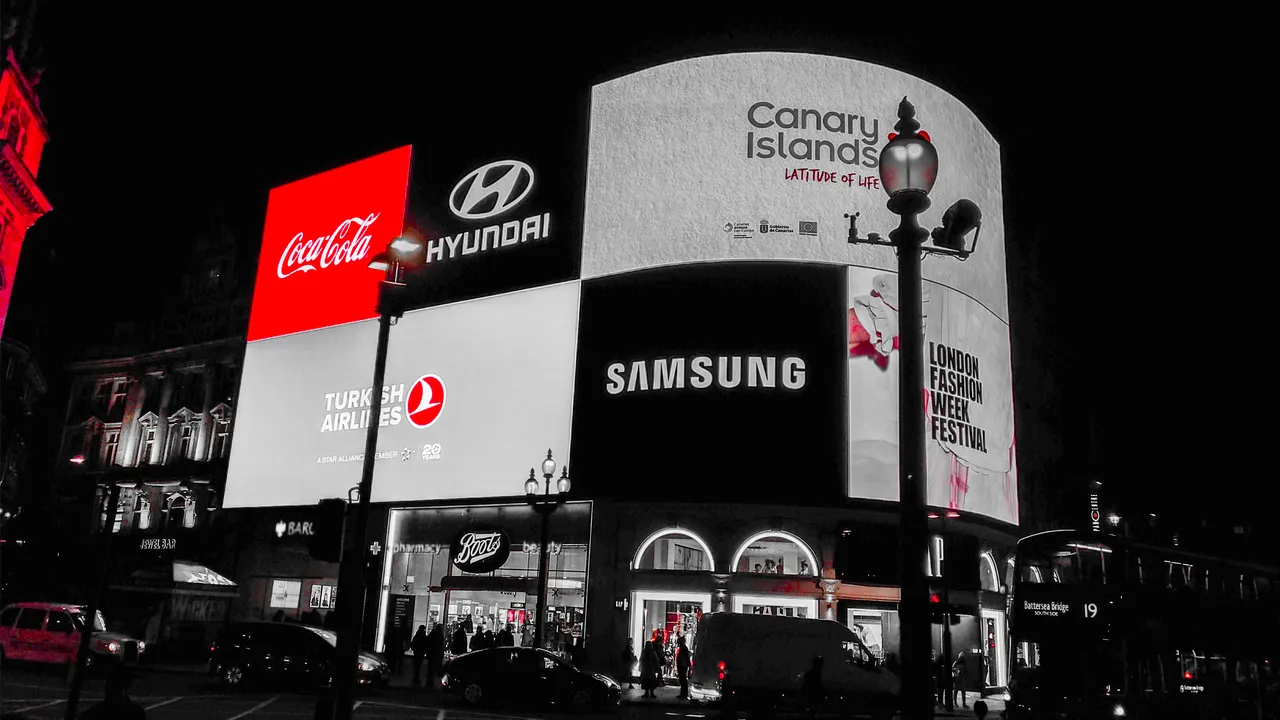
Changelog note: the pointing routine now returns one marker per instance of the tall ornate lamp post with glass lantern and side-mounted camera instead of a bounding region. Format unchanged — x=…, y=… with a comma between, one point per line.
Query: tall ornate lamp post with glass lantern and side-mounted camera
x=908, y=168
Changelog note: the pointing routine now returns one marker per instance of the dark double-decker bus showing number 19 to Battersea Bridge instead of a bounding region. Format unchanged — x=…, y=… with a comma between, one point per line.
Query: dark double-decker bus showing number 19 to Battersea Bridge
x=1105, y=627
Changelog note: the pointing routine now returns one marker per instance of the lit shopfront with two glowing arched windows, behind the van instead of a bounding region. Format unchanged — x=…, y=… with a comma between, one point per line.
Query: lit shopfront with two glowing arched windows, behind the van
x=674, y=586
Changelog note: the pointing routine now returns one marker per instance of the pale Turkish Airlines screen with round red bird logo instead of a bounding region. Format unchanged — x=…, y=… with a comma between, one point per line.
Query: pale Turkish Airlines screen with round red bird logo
x=476, y=395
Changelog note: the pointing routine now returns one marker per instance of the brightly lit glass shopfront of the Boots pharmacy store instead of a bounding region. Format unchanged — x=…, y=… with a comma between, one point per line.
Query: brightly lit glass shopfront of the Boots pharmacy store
x=422, y=582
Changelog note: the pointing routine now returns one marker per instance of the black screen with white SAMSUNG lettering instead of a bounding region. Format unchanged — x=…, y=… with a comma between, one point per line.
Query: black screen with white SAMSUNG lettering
x=693, y=379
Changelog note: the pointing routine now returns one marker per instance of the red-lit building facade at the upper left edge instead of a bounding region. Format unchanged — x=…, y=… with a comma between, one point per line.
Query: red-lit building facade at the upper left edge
x=22, y=140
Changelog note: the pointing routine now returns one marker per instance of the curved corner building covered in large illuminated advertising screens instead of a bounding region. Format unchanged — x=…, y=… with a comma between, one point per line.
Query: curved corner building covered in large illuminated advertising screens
x=687, y=327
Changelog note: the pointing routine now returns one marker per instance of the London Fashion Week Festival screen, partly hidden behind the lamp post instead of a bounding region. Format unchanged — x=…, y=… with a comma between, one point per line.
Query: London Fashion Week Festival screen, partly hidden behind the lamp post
x=968, y=398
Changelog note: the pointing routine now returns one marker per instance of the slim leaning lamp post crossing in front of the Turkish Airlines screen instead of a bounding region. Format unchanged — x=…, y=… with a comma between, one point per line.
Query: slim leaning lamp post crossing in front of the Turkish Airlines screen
x=404, y=256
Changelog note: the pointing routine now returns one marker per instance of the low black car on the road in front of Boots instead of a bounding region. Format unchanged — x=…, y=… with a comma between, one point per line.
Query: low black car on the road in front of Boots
x=531, y=676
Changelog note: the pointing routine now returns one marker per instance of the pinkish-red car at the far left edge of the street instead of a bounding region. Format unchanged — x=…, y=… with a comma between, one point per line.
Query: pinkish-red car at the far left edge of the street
x=51, y=632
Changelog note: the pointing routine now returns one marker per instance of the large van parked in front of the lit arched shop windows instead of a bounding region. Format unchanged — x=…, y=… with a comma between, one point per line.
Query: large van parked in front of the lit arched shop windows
x=765, y=658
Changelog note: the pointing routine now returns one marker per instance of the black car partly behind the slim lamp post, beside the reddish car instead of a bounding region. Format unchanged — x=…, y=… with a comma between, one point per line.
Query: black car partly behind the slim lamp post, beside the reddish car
x=285, y=653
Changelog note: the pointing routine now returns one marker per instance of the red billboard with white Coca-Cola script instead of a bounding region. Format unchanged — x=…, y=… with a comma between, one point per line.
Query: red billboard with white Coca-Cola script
x=319, y=238
